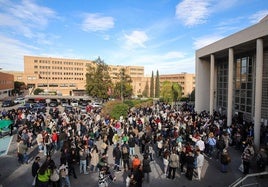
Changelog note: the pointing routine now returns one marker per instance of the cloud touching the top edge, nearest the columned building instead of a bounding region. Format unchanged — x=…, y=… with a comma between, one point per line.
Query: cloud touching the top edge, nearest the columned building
x=193, y=12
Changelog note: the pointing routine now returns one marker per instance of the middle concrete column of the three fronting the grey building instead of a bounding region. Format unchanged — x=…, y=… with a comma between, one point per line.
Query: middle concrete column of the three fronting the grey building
x=230, y=86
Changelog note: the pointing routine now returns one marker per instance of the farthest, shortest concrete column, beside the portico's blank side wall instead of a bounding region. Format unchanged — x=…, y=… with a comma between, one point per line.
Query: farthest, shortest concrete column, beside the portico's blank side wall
x=211, y=94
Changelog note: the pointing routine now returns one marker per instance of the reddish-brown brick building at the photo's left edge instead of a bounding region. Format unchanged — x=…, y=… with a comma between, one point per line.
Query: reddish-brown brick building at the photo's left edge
x=6, y=85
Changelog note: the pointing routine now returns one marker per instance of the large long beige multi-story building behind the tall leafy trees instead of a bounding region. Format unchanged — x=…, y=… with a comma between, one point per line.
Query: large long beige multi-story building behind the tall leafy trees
x=67, y=76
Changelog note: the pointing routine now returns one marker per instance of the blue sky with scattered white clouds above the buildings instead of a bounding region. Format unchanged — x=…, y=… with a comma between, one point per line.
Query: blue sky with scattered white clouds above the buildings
x=157, y=34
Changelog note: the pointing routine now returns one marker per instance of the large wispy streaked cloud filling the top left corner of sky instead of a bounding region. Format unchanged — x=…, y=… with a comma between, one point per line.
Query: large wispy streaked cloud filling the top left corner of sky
x=25, y=18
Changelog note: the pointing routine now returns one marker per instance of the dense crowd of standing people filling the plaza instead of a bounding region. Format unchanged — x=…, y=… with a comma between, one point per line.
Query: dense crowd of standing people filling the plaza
x=178, y=136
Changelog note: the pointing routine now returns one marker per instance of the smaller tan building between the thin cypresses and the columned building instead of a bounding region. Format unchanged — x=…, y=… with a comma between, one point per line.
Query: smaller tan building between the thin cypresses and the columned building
x=186, y=80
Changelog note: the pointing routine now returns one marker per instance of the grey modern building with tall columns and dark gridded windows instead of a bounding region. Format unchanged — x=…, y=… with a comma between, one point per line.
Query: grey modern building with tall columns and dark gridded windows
x=232, y=76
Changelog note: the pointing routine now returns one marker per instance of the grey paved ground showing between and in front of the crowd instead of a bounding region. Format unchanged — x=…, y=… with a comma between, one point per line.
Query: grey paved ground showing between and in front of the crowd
x=14, y=175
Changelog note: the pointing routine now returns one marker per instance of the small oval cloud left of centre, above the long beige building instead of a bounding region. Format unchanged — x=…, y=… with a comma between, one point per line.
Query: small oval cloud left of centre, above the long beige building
x=95, y=22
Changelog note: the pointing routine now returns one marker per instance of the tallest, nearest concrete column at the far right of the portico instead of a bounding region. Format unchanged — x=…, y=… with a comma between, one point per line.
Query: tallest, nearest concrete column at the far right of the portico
x=258, y=93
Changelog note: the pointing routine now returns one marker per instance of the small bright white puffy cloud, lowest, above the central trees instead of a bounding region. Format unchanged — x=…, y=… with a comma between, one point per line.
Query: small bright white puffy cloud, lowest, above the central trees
x=136, y=39
